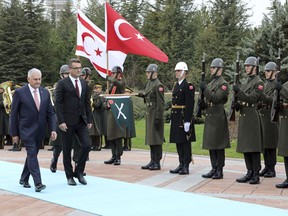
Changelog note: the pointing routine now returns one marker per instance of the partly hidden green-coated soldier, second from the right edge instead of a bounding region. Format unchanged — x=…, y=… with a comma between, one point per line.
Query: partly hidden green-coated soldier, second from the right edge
x=269, y=129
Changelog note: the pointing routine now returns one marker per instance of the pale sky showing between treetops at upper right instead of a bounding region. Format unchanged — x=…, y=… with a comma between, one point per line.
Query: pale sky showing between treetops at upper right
x=259, y=7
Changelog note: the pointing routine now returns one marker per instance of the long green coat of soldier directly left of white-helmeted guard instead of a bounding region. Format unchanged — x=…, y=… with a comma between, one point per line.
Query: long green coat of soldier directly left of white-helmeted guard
x=154, y=102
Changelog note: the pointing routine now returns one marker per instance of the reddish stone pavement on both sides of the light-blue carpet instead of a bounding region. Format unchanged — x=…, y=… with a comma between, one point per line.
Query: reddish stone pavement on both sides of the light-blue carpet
x=130, y=171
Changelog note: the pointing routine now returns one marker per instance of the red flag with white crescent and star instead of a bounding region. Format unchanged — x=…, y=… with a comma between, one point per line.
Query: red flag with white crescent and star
x=122, y=36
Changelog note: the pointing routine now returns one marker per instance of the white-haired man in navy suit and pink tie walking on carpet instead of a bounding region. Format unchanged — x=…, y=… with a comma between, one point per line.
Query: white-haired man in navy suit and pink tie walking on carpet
x=30, y=112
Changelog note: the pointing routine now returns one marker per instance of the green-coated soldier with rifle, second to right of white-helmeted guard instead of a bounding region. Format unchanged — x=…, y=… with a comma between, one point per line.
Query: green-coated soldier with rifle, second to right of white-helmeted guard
x=249, y=141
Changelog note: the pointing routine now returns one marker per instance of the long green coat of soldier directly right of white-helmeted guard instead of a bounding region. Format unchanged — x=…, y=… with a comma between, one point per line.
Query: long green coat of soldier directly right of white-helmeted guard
x=216, y=131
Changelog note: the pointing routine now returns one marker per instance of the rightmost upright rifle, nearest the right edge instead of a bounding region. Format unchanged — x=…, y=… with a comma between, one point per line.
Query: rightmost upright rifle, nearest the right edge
x=276, y=99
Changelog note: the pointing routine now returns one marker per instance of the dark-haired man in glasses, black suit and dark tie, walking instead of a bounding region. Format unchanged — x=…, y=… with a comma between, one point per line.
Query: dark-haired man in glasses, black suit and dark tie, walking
x=75, y=118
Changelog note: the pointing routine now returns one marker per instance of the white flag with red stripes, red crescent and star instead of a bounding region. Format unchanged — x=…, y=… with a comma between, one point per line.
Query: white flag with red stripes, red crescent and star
x=91, y=44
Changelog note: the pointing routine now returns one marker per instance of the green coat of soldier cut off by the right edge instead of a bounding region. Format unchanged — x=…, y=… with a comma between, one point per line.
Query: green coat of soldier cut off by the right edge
x=283, y=126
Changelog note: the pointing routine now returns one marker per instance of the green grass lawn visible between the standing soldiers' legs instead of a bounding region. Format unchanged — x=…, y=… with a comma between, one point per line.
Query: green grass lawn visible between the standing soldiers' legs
x=139, y=141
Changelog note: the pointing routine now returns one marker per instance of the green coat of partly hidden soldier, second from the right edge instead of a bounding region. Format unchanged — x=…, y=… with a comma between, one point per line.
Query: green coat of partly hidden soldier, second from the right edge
x=269, y=129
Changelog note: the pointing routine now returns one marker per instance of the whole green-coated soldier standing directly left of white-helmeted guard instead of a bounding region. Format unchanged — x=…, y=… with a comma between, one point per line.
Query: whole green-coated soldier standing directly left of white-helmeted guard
x=154, y=102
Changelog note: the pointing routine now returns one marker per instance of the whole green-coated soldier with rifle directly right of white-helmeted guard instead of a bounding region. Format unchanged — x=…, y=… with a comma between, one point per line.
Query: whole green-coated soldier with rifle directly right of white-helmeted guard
x=216, y=131
